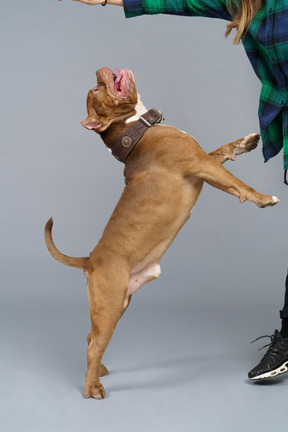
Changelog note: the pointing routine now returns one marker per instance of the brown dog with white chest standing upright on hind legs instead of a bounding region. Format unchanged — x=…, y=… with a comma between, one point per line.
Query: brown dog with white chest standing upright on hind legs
x=164, y=175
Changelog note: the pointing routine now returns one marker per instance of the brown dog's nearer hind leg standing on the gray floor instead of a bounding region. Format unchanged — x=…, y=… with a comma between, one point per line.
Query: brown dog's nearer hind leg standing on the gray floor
x=106, y=297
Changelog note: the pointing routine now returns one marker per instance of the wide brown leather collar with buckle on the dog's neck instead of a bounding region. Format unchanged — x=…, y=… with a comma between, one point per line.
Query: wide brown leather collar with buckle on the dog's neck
x=130, y=137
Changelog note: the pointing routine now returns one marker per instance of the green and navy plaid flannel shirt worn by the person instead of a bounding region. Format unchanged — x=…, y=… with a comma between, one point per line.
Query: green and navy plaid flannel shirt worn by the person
x=266, y=45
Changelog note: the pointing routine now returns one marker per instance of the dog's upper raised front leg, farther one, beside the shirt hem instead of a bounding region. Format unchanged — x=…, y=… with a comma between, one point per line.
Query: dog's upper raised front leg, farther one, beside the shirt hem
x=233, y=149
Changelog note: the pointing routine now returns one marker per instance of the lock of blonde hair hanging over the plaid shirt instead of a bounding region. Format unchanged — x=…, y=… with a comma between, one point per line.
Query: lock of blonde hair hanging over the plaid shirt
x=242, y=15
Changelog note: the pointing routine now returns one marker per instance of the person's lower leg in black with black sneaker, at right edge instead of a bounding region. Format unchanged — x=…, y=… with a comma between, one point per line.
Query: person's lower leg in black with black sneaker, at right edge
x=275, y=361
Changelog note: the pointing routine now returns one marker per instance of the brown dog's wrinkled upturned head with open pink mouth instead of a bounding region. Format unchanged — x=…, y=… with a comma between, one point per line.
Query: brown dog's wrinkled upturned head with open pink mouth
x=112, y=100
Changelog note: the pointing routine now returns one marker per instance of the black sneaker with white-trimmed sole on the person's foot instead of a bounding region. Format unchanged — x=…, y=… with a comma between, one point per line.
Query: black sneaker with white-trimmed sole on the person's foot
x=275, y=361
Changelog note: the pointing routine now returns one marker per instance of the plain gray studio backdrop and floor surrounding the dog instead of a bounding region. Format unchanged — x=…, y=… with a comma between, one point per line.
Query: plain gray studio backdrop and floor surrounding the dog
x=180, y=356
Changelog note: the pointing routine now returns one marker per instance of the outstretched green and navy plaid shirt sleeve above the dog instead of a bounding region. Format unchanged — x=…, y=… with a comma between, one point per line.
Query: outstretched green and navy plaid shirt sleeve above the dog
x=204, y=8
